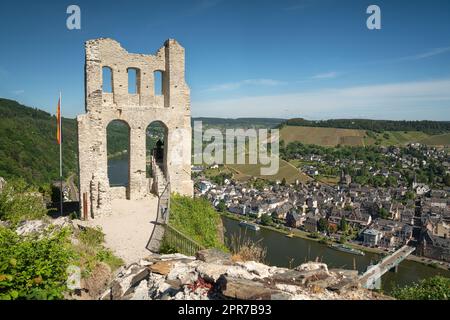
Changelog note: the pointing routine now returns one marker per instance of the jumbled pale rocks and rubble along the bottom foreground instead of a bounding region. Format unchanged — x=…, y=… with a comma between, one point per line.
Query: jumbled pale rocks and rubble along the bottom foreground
x=213, y=275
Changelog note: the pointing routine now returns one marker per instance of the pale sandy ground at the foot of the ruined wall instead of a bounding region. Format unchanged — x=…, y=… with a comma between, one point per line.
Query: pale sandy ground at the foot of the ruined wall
x=128, y=229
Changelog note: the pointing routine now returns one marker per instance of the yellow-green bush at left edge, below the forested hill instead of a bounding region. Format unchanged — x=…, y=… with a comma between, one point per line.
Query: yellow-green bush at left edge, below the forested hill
x=19, y=201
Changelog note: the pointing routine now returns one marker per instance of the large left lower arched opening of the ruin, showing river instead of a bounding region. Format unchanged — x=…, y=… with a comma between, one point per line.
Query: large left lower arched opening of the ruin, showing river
x=118, y=152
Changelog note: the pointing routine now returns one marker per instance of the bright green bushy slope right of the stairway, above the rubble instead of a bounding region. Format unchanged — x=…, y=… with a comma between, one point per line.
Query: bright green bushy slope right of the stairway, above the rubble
x=196, y=218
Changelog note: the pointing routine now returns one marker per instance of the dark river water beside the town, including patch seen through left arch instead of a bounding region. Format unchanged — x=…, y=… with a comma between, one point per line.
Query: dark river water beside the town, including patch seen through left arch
x=283, y=251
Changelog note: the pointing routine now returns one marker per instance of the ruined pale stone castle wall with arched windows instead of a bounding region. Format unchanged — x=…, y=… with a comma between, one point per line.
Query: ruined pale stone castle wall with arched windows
x=137, y=110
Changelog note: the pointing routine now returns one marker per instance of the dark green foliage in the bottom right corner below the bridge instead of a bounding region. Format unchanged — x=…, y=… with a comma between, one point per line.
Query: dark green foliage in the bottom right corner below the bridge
x=435, y=288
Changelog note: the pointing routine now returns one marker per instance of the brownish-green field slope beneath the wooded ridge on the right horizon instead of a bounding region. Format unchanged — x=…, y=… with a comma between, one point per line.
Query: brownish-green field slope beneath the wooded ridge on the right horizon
x=330, y=137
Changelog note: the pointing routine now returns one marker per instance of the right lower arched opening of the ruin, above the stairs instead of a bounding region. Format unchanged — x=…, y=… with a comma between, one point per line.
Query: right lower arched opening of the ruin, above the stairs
x=156, y=146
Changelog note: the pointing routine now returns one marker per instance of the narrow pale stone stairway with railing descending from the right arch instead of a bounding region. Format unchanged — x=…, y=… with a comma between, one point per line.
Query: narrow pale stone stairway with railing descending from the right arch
x=162, y=189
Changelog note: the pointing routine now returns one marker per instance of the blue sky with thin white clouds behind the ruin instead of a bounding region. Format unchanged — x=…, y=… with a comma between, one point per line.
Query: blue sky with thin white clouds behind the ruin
x=294, y=58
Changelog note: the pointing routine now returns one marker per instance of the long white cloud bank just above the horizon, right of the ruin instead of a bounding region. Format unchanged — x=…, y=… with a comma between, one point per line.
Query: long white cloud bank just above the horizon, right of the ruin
x=407, y=100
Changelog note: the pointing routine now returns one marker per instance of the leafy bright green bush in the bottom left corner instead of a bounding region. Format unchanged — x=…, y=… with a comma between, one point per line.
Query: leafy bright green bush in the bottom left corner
x=32, y=268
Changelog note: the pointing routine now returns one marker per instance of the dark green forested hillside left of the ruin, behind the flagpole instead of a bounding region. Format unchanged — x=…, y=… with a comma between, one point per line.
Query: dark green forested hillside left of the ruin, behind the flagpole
x=28, y=146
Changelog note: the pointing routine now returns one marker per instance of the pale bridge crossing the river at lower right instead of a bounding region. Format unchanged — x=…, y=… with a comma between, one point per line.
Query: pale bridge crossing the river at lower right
x=371, y=279
